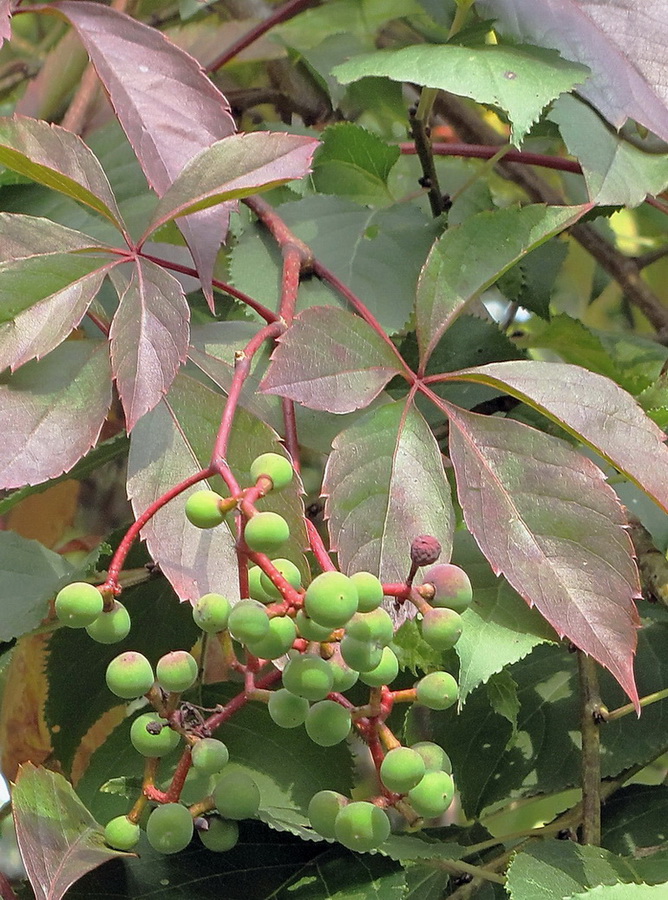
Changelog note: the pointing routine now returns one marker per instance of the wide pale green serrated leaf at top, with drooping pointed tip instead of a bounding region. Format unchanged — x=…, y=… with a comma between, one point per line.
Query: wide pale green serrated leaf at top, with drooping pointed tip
x=521, y=80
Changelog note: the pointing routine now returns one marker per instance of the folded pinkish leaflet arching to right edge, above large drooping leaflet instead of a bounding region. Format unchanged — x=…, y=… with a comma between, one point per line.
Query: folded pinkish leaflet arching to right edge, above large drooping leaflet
x=592, y=408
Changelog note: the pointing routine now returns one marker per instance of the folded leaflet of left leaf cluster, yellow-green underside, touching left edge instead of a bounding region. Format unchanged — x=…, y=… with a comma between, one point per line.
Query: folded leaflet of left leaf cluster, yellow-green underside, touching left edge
x=60, y=160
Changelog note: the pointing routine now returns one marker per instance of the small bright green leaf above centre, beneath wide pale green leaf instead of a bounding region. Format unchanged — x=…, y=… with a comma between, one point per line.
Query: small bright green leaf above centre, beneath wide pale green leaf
x=354, y=163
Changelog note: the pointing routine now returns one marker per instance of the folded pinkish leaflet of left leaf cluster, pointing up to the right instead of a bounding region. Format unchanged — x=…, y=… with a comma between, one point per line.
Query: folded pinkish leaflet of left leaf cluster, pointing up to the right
x=235, y=167
